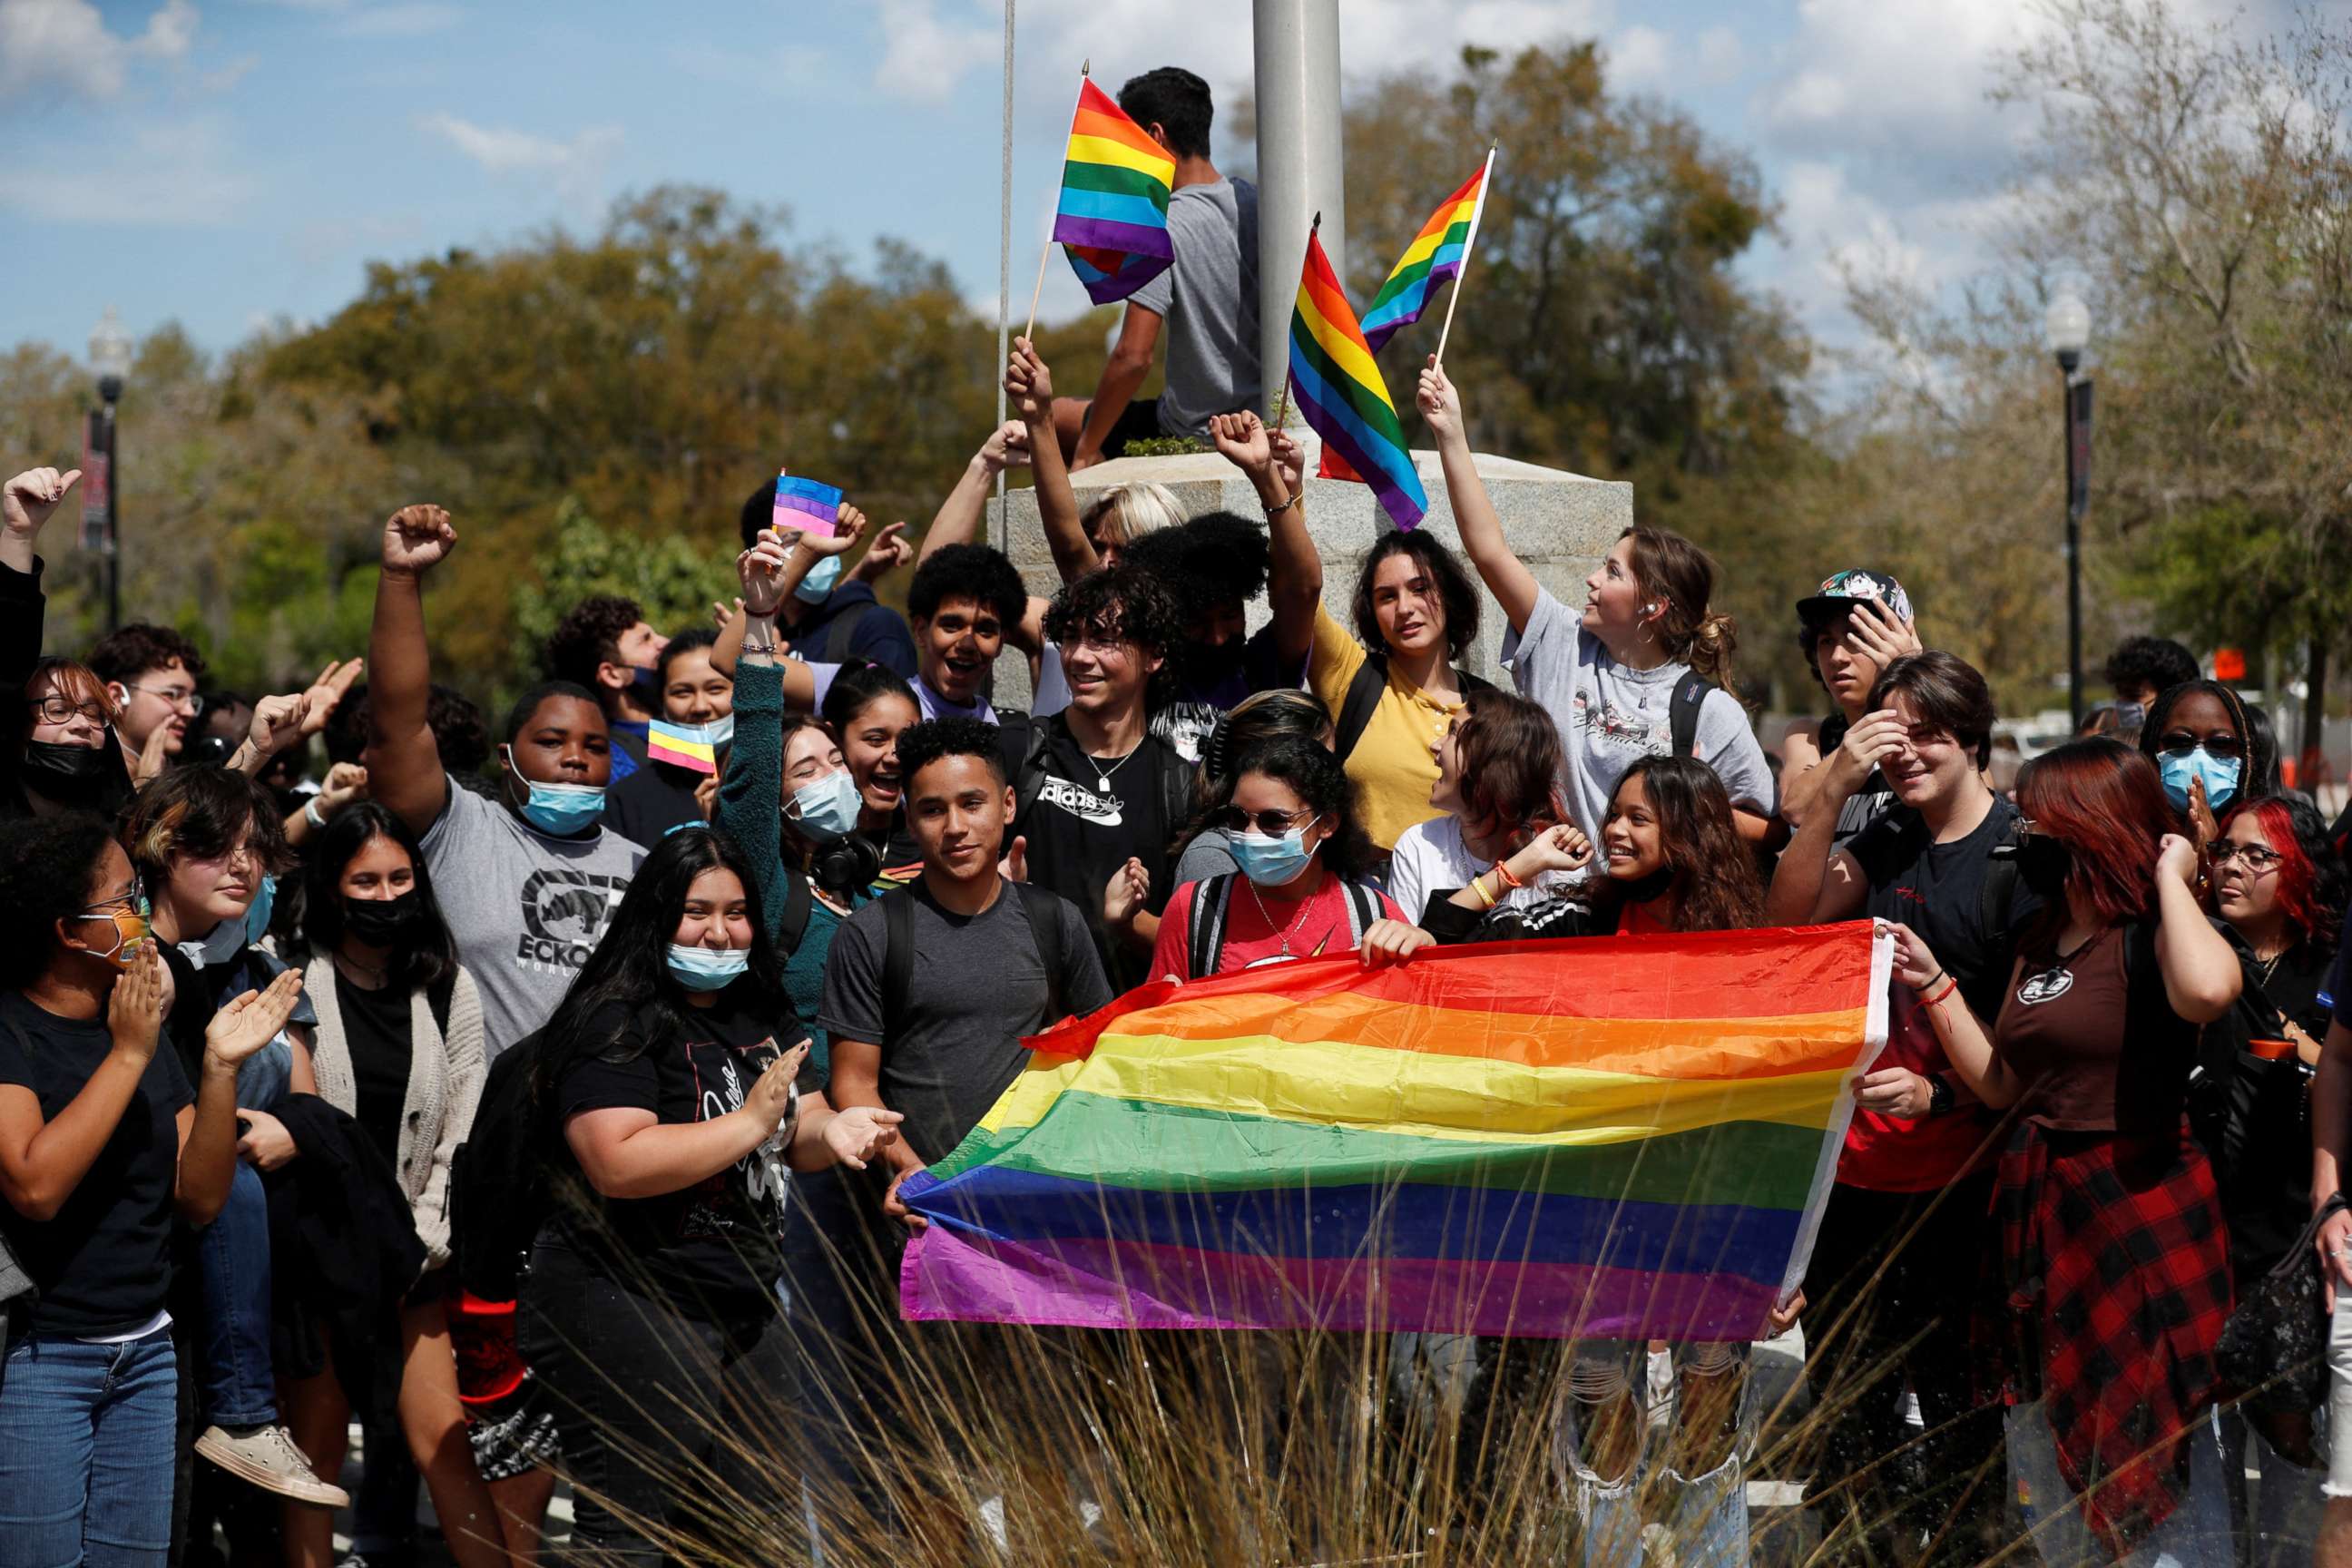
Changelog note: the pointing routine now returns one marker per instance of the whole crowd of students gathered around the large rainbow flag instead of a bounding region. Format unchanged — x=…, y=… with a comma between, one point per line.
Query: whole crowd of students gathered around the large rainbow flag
x=537, y=1099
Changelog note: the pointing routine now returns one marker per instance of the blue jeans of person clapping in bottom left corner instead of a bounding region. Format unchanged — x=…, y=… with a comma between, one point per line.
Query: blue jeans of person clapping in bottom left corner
x=86, y=1452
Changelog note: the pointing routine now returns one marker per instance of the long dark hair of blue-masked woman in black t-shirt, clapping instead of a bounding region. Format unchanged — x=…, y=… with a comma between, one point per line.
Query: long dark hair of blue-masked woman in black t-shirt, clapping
x=629, y=972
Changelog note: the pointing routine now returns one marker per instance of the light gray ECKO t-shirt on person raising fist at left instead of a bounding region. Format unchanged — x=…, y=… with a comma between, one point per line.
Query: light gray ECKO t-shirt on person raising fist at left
x=526, y=909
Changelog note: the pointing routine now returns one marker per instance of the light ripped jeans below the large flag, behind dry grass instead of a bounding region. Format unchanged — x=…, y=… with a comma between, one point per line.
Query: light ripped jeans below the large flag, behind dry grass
x=1695, y=1487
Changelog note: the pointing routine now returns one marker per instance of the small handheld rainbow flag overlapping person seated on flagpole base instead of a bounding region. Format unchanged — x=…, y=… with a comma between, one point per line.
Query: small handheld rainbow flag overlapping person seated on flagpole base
x=1114, y=213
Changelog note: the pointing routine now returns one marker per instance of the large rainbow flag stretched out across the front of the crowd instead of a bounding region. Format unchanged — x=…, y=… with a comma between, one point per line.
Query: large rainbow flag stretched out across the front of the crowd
x=1558, y=1139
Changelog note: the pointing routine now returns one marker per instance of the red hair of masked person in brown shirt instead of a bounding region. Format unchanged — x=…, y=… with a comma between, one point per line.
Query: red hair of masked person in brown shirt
x=2106, y=805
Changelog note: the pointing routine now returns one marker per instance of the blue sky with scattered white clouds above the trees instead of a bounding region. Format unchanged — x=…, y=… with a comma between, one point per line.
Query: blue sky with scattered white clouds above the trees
x=232, y=161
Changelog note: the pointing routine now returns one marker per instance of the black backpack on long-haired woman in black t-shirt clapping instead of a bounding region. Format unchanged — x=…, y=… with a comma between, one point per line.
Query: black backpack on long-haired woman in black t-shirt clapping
x=500, y=1179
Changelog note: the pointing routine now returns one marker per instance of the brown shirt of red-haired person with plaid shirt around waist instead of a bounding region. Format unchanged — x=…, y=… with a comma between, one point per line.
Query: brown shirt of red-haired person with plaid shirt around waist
x=2094, y=1038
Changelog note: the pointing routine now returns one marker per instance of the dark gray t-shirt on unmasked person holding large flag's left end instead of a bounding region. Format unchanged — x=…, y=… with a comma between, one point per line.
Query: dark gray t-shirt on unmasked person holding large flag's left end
x=975, y=991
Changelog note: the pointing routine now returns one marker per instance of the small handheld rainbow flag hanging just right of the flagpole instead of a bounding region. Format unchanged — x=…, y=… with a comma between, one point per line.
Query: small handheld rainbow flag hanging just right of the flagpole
x=1344, y=396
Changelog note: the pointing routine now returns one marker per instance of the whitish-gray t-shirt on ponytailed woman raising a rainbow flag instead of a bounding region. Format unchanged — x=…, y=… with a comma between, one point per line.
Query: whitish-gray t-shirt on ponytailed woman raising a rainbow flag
x=1612, y=716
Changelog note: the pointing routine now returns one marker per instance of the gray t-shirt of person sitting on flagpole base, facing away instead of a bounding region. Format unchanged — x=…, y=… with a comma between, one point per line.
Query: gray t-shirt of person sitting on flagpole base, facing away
x=1210, y=304
